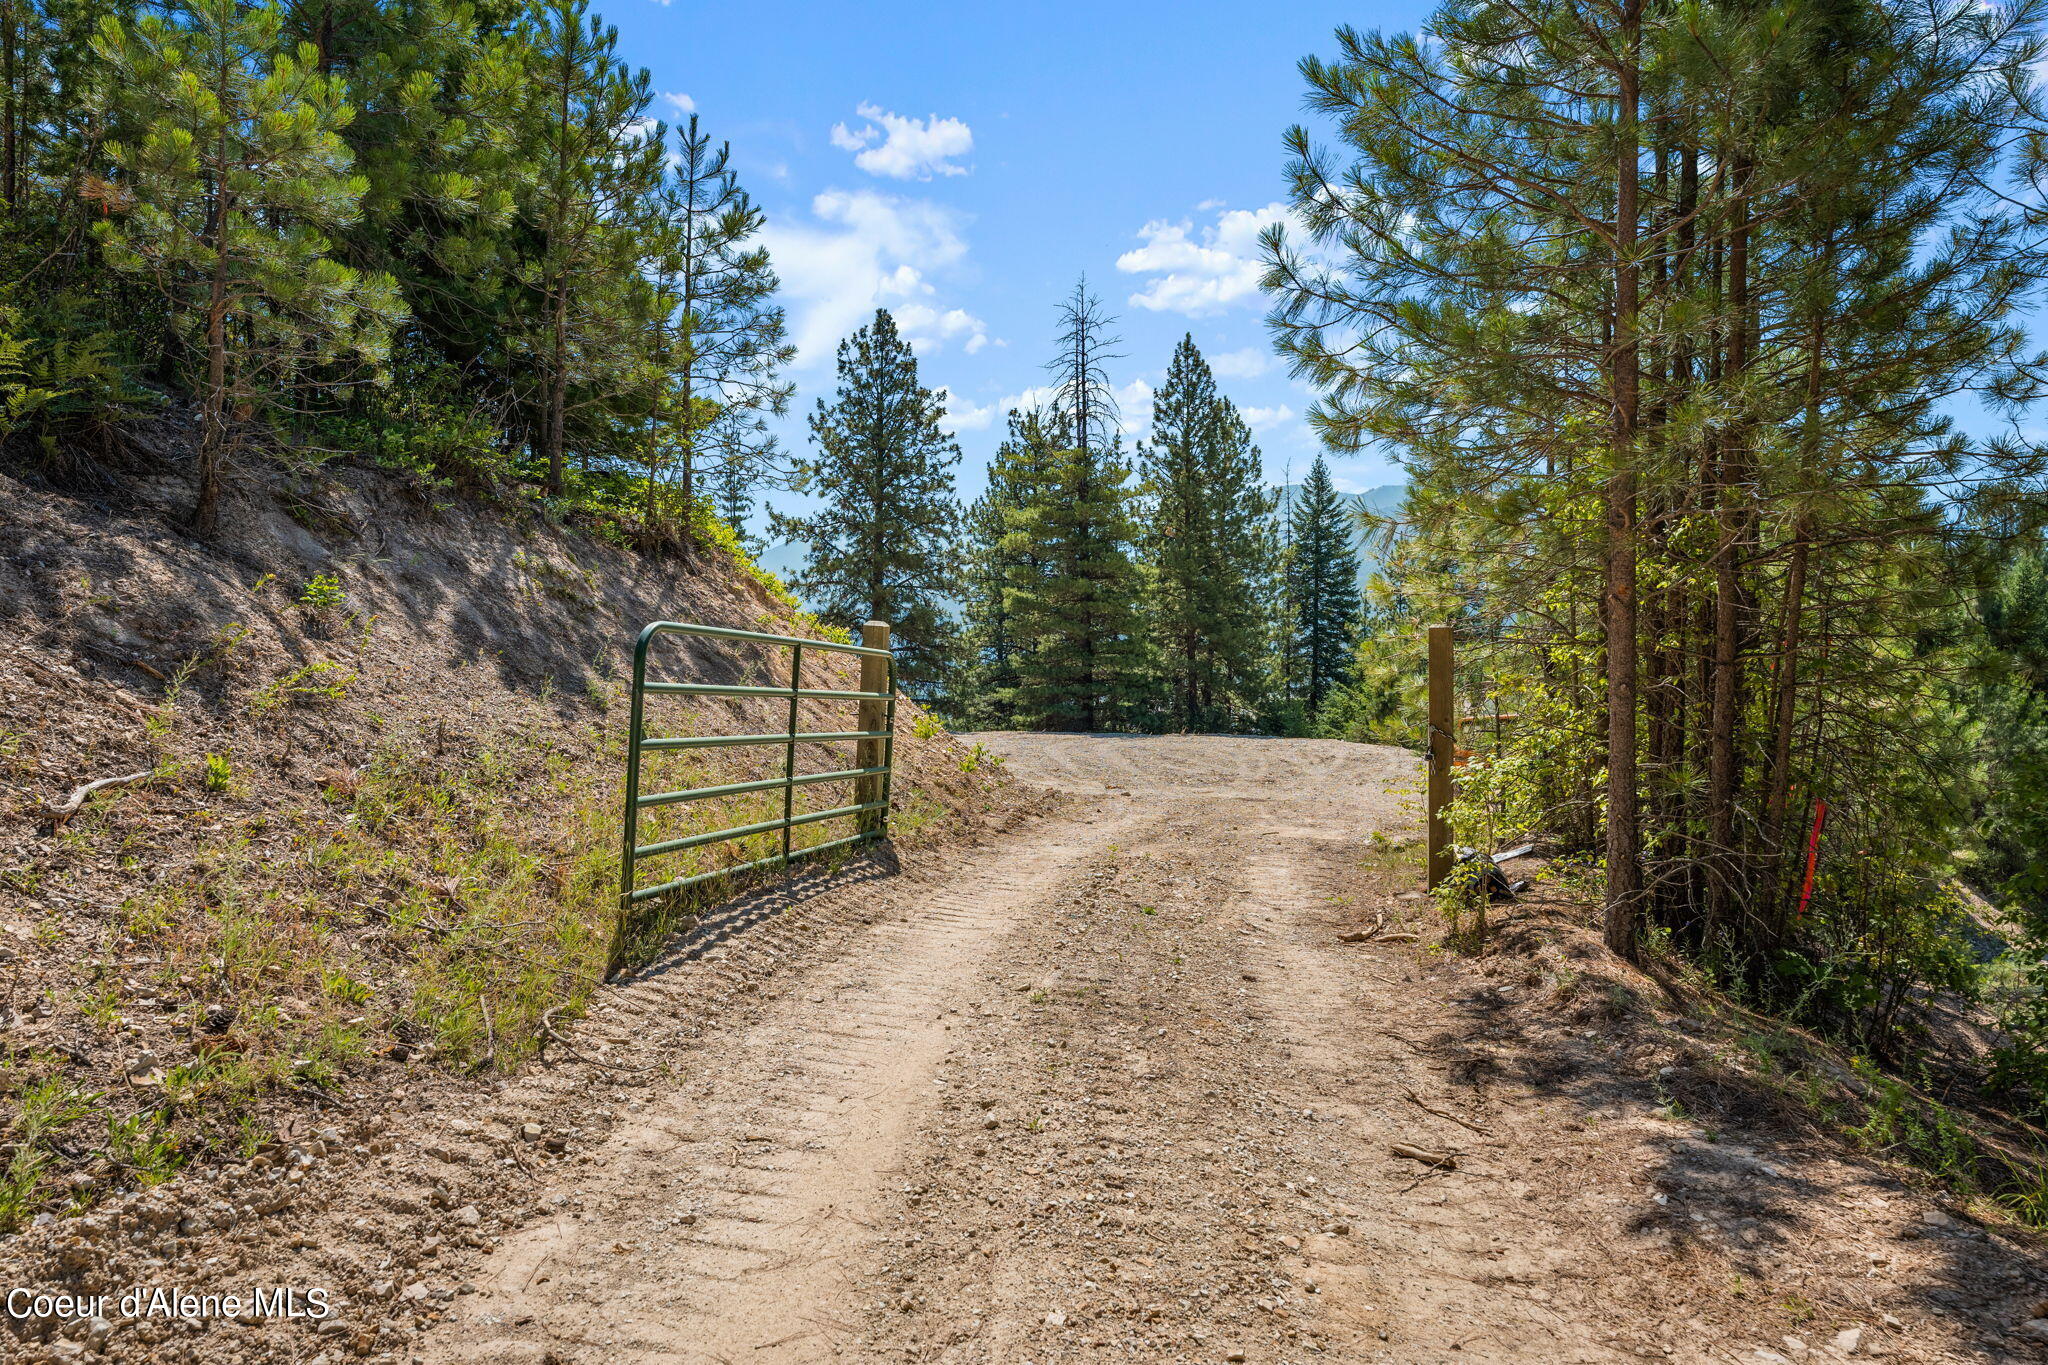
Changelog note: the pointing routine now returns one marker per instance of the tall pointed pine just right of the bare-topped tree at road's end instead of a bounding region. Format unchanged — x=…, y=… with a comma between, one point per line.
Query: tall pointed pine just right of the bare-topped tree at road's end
x=1211, y=549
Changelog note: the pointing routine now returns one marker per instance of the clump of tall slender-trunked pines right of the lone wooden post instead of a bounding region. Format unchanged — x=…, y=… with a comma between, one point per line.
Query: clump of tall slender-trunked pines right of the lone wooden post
x=1666, y=320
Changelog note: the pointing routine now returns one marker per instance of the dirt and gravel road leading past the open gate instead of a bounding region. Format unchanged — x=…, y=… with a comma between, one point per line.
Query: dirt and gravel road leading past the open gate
x=1117, y=1090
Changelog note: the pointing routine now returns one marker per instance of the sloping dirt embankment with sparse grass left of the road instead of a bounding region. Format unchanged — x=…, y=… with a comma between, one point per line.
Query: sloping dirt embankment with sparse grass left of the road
x=368, y=830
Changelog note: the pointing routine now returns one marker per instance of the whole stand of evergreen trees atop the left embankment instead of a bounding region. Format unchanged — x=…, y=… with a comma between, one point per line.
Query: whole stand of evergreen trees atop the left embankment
x=574, y=298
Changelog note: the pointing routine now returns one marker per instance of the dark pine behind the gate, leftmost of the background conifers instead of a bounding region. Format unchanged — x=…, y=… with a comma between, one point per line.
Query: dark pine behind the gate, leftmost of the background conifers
x=884, y=543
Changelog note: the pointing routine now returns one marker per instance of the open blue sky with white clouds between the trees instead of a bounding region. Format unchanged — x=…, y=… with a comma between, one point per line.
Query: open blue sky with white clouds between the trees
x=964, y=165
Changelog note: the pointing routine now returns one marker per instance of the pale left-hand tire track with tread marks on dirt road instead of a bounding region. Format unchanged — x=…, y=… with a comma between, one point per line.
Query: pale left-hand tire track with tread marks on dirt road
x=732, y=1213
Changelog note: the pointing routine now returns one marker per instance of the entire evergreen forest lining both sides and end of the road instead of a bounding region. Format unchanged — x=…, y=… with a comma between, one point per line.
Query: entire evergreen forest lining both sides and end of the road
x=1701, y=333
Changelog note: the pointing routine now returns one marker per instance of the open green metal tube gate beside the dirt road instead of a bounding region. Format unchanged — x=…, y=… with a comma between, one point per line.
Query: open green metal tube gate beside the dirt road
x=876, y=754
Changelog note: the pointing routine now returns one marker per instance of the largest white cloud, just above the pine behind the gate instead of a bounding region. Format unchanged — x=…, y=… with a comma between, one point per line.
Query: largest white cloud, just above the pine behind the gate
x=857, y=257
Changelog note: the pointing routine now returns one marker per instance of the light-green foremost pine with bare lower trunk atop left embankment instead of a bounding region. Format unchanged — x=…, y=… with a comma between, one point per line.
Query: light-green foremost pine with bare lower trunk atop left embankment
x=232, y=191
